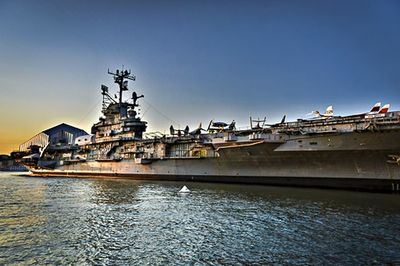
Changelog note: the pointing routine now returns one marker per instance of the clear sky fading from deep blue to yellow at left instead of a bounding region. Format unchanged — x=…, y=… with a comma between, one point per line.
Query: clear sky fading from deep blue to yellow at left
x=194, y=60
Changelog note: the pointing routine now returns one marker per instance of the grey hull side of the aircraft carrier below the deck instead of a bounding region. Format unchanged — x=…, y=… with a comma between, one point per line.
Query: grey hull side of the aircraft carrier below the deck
x=354, y=161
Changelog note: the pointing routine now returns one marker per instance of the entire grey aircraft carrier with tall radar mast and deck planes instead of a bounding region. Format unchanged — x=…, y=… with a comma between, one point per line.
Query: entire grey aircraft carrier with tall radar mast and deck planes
x=347, y=152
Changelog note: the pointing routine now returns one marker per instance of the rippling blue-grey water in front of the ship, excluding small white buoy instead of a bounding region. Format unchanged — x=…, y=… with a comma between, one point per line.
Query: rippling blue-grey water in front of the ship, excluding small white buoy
x=91, y=221
